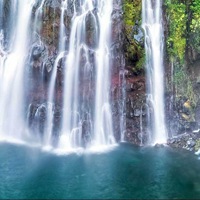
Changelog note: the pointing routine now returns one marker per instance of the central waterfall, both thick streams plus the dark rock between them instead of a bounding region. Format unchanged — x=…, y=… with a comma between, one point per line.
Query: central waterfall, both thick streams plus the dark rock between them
x=87, y=56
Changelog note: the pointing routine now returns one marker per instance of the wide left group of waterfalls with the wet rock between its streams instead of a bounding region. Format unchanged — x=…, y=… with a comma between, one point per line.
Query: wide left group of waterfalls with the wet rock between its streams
x=78, y=64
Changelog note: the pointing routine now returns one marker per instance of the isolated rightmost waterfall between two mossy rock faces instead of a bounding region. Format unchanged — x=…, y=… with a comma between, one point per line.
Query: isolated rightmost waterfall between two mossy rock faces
x=154, y=41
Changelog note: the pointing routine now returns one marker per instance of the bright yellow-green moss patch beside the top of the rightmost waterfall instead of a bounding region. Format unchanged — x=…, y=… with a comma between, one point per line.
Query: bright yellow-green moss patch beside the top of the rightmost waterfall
x=177, y=18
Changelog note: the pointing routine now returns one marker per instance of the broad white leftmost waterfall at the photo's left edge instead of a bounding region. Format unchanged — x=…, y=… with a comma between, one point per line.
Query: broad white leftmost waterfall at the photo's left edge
x=12, y=73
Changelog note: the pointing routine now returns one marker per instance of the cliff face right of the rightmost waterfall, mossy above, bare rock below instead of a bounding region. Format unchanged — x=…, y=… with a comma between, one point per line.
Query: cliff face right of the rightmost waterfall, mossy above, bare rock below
x=182, y=66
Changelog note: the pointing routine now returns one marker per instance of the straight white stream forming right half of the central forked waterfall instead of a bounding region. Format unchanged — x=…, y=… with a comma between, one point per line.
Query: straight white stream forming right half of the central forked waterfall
x=103, y=118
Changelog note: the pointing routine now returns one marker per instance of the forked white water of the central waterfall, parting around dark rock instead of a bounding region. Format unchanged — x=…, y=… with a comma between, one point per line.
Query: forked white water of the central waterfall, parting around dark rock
x=72, y=122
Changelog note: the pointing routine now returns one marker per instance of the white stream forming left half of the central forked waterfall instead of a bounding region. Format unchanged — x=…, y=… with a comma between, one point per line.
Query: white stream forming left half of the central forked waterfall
x=71, y=116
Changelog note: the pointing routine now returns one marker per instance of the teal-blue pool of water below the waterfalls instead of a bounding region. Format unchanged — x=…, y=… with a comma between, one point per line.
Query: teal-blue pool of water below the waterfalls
x=124, y=172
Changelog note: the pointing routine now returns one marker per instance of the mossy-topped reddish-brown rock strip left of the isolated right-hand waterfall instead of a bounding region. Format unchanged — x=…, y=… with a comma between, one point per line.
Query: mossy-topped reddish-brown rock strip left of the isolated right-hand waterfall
x=136, y=107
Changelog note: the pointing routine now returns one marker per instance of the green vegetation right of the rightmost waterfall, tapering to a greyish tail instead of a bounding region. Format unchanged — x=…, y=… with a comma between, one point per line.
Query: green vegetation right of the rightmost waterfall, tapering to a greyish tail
x=183, y=19
